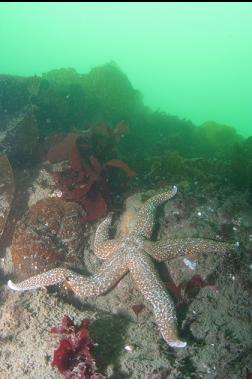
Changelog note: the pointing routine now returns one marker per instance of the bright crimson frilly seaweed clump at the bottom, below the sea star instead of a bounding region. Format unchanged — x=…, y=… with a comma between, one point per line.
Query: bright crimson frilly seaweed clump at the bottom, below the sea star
x=74, y=356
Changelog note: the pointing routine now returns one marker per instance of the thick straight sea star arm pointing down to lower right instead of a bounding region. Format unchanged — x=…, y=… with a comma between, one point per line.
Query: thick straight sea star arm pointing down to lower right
x=146, y=278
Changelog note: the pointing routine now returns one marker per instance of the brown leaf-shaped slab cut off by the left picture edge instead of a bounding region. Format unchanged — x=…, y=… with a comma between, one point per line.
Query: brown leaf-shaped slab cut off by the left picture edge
x=6, y=190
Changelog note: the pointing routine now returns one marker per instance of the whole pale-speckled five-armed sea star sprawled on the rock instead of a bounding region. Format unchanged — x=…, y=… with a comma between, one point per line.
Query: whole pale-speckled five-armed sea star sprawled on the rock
x=132, y=253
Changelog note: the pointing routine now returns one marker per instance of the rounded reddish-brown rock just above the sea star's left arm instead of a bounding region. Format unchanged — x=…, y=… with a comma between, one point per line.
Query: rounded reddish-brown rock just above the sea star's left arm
x=49, y=235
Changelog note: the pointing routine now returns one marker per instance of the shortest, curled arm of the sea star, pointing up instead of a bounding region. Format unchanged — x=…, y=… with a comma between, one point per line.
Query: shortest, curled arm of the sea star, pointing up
x=104, y=248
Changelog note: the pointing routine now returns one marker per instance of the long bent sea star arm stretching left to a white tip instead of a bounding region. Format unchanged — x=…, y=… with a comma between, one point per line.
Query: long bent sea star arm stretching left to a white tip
x=84, y=286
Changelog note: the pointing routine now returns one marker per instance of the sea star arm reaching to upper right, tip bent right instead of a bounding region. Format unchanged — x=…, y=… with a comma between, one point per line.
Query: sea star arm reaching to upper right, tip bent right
x=146, y=217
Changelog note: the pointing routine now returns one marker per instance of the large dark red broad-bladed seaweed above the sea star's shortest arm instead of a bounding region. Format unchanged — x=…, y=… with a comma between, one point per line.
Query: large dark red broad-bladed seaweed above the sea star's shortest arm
x=85, y=181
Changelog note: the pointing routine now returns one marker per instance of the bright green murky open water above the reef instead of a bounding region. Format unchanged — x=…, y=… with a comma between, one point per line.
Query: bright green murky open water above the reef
x=191, y=60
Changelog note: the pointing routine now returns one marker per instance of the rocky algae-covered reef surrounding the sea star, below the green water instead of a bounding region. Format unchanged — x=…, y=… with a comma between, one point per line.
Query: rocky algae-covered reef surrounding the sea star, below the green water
x=78, y=146
